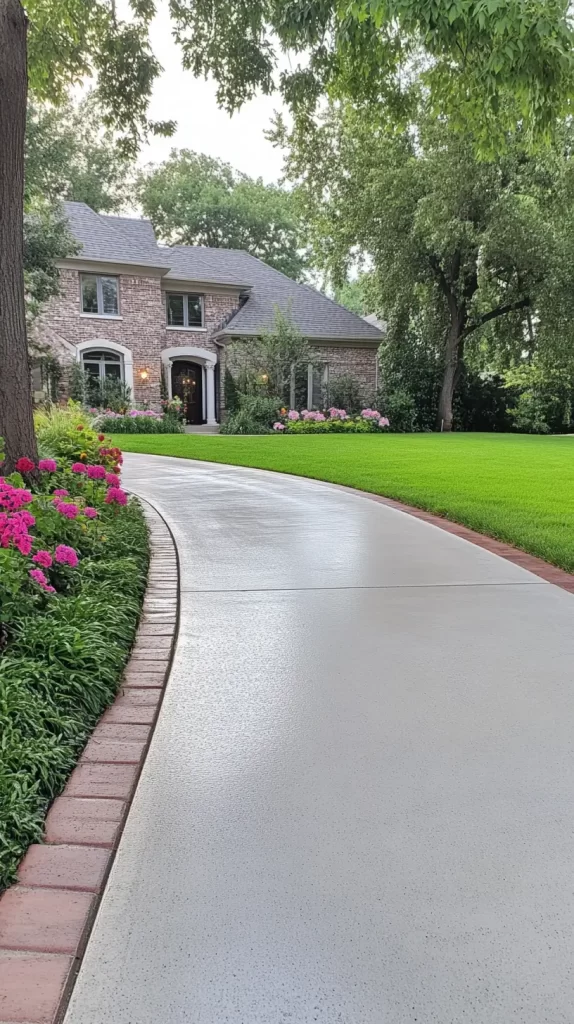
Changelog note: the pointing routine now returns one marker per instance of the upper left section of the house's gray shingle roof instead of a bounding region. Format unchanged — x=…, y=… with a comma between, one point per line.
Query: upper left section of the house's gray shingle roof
x=109, y=239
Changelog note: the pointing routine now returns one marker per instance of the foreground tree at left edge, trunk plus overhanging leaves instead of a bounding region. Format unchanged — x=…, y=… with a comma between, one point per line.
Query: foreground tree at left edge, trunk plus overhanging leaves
x=49, y=47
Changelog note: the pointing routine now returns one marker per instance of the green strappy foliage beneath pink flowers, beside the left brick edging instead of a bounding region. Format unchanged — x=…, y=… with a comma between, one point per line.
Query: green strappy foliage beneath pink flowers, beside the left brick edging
x=62, y=657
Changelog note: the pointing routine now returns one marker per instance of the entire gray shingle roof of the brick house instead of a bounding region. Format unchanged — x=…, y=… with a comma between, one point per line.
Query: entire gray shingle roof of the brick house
x=127, y=240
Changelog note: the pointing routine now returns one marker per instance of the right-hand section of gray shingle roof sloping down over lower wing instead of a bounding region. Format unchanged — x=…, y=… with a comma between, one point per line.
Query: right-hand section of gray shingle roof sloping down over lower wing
x=316, y=315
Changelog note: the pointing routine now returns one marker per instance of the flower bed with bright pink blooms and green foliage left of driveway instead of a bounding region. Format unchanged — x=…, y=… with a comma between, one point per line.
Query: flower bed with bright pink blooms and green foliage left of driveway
x=73, y=568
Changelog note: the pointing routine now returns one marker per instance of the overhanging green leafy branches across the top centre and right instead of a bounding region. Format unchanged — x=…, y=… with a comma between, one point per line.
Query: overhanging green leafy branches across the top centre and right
x=482, y=61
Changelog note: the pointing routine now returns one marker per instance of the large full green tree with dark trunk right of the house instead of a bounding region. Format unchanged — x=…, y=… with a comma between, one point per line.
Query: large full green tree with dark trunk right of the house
x=465, y=244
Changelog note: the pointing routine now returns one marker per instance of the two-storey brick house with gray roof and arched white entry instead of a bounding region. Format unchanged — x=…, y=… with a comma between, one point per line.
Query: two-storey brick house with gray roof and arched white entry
x=133, y=310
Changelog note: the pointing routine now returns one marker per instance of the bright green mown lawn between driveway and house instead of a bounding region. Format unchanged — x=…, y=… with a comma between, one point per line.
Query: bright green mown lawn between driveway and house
x=517, y=488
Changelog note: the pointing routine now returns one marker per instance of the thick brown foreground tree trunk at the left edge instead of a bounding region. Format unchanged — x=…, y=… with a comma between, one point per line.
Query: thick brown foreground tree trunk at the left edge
x=17, y=415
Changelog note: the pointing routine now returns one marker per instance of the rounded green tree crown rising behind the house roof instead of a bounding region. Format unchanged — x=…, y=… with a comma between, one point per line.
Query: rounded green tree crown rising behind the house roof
x=195, y=200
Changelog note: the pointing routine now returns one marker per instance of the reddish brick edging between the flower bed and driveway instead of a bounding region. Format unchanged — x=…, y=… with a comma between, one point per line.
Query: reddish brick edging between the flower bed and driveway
x=48, y=915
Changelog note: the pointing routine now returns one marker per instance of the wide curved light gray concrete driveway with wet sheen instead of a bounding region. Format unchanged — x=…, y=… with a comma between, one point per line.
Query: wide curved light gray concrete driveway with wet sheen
x=359, y=804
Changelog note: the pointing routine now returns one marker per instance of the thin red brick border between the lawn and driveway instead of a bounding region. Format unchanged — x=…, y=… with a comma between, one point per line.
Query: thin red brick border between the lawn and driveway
x=531, y=563
